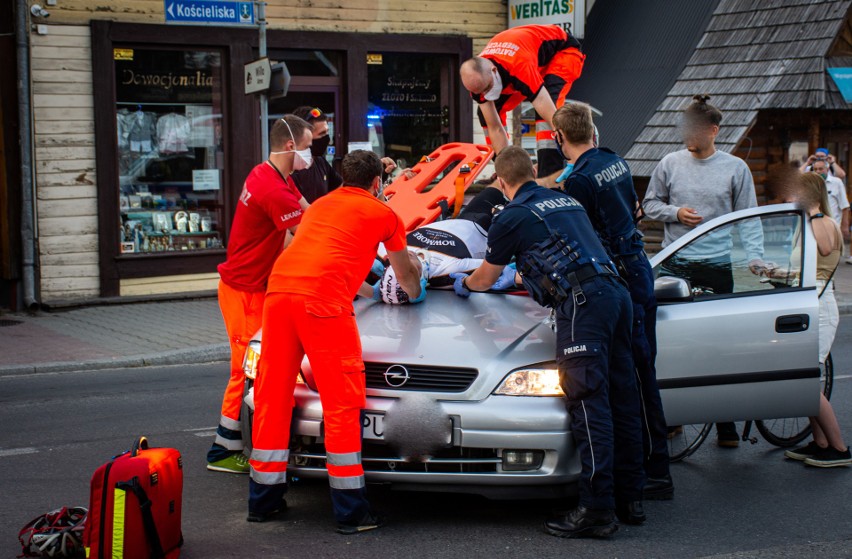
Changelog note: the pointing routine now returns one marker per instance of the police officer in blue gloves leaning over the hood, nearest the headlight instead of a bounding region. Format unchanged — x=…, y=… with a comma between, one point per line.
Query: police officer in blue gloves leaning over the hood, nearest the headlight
x=564, y=266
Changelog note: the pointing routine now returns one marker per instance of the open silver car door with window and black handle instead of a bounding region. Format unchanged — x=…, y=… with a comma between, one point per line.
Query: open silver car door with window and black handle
x=735, y=345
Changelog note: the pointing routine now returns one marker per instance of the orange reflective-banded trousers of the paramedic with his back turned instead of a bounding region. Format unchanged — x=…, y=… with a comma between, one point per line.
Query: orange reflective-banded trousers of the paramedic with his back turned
x=294, y=326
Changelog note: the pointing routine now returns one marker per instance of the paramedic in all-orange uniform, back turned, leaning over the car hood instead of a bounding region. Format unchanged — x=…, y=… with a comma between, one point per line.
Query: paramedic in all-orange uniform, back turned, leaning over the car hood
x=308, y=311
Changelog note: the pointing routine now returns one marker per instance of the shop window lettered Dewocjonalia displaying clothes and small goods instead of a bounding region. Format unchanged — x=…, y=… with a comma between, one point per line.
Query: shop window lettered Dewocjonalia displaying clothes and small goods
x=170, y=150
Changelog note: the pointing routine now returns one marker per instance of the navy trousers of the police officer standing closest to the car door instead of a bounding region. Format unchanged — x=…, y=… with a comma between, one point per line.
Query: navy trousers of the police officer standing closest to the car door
x=640, y=283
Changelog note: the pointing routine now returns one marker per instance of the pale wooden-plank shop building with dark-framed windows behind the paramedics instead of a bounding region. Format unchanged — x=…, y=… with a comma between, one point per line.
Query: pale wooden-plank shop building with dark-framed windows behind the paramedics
x=143, y=132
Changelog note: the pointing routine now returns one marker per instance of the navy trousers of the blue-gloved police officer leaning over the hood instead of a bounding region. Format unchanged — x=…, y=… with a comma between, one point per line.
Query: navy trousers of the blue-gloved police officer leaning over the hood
x=593, y=352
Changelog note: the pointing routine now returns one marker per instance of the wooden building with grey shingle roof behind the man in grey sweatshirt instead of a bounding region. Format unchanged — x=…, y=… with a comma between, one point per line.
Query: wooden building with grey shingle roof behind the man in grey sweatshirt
x=765, y=66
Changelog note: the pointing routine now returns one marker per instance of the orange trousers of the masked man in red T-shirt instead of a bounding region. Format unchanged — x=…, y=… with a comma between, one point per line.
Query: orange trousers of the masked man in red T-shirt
x=242, y=312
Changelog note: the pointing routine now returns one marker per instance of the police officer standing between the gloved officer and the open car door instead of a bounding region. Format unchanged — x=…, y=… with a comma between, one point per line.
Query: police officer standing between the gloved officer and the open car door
x=602, y=183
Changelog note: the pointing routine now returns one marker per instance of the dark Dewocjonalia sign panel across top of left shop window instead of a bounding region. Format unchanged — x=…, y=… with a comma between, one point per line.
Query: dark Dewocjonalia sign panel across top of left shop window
x=166, y=77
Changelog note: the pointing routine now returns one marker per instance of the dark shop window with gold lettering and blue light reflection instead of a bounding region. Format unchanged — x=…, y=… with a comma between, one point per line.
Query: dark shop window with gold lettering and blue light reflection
x=408, y=111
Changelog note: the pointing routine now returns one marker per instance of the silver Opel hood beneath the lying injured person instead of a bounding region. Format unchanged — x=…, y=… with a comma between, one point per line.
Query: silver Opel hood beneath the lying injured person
x=487, y=331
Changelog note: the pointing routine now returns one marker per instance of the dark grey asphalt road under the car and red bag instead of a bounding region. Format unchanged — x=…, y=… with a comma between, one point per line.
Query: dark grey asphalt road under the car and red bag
x=56, y=429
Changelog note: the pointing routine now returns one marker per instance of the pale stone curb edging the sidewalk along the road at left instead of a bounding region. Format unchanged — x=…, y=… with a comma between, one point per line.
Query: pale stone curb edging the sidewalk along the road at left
x=189, y=356
